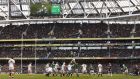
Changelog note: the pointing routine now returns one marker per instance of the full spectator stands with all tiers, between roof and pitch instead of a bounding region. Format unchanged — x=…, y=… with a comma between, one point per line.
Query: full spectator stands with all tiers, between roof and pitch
x=88, y=43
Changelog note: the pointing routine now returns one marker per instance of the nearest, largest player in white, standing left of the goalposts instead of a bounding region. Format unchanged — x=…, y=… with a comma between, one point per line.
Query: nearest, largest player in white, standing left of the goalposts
x=11, y=63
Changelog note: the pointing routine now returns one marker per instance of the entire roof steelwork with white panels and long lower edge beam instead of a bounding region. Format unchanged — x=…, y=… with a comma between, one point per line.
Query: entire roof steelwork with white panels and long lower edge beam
x=74, y=10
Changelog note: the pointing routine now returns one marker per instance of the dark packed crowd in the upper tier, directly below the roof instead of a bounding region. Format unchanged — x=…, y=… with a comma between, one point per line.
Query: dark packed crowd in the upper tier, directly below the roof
x=69, y=30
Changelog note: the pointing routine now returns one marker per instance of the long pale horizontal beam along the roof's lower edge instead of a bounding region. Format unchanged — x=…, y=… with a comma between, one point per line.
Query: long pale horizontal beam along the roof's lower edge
x=120, y=19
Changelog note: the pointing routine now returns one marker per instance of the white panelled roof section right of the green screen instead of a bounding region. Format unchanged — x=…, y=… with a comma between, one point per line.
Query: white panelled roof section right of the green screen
x=101, y=8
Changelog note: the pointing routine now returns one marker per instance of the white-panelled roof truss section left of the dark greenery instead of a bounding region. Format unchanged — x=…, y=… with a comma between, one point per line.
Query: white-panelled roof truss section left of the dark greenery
x=13, y=9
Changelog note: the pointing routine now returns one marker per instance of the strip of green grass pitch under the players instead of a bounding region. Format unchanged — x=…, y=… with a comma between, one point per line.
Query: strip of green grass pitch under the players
x=41, y=76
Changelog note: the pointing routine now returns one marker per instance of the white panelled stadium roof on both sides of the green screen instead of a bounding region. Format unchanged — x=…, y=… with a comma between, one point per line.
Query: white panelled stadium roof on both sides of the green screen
x=96, y=9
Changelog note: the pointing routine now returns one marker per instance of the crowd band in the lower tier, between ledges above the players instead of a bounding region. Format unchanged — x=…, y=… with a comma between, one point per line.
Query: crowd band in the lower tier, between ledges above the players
x=5, y=53
